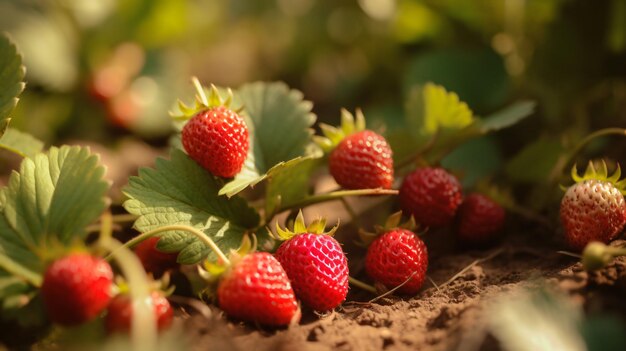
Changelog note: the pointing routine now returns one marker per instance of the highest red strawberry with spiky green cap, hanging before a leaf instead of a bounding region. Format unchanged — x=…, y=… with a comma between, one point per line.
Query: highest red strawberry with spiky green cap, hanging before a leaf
x=215, y=137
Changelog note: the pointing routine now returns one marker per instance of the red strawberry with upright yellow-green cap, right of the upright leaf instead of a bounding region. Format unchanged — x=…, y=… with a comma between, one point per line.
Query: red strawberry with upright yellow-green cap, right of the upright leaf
x=360, y=159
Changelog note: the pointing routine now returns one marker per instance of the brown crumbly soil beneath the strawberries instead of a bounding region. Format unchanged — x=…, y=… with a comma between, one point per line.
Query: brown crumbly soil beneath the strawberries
x=446, y=317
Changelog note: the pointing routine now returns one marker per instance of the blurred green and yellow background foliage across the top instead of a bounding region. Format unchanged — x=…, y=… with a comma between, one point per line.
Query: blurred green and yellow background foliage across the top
x=99, y=70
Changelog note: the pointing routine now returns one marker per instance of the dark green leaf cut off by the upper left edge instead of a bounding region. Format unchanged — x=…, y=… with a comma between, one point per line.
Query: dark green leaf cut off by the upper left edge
x=11, y=79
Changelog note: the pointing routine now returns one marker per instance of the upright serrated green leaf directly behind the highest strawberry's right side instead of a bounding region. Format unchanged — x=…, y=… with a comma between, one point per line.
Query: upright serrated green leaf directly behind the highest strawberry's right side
x=280, y=123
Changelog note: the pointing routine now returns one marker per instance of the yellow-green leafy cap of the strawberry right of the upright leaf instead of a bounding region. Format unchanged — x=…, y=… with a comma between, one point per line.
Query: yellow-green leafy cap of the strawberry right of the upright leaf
x=350, y=124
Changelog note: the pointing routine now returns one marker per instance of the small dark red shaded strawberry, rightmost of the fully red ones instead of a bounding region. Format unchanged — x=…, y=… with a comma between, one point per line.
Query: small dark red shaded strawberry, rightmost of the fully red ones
x=479, y=218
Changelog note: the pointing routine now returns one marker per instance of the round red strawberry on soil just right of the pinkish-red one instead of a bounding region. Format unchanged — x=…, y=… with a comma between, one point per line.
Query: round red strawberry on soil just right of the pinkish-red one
x=396, y=255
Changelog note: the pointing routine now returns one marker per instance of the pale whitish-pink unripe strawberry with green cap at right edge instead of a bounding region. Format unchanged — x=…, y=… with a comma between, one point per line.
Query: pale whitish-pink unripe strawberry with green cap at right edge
x=593, y=209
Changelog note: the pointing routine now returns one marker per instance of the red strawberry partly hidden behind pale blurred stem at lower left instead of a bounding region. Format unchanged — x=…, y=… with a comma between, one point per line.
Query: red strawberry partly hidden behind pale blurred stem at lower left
x=120, y=310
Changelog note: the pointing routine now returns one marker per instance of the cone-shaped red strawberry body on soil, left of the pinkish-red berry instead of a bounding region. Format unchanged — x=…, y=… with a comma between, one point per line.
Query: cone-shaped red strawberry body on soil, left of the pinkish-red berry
x=256, y=289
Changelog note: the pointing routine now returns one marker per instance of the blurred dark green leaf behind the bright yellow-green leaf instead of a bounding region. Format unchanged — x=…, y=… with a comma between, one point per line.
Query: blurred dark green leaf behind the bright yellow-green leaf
x=477, y=76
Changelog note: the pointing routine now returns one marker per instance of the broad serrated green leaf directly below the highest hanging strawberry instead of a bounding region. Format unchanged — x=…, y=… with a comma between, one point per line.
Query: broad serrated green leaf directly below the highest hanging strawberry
x=179, y=191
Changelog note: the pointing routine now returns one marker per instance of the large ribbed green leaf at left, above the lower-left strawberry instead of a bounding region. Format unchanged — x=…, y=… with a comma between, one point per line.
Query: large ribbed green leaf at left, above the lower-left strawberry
x=49, y=202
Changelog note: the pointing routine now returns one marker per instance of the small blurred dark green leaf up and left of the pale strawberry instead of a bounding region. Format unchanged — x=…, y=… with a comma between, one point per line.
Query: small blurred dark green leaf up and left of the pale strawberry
x=535, y=162
